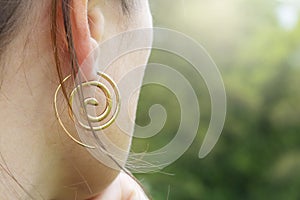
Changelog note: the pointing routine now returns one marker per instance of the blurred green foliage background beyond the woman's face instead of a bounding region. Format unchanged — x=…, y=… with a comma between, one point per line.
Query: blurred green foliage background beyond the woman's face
x=256, y=45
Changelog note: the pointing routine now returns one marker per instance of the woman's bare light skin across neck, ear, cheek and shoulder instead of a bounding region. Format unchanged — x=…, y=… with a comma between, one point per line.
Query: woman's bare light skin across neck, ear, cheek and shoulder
x=33, y=146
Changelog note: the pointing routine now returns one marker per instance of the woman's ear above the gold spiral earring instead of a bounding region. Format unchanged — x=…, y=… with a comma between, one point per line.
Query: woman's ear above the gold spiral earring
x=87, y=24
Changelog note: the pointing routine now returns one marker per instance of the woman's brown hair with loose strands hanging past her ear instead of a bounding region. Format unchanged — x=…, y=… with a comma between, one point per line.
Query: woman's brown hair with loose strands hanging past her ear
x=11, y=14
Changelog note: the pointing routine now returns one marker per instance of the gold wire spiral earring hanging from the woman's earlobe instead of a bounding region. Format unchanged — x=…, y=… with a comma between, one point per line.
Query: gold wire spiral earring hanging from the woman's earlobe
x=94, y=102
